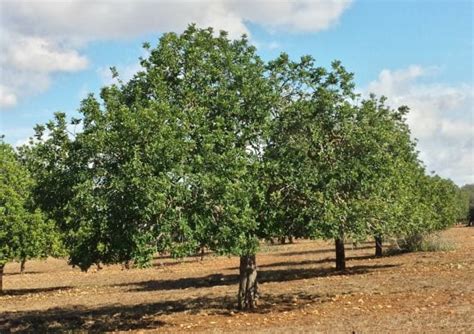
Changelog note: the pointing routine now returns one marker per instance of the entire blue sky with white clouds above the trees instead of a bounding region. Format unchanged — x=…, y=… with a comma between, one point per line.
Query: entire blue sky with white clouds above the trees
x=419, y=53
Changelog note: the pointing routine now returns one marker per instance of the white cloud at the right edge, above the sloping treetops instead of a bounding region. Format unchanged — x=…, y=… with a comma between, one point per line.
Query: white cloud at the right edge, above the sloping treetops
x=441, y=118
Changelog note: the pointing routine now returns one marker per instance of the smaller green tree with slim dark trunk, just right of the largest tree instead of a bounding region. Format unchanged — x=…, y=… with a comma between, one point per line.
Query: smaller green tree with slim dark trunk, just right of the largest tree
x=333, y=161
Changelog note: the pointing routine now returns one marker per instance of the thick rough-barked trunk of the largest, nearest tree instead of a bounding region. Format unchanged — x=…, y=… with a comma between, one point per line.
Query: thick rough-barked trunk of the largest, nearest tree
x=248, y=287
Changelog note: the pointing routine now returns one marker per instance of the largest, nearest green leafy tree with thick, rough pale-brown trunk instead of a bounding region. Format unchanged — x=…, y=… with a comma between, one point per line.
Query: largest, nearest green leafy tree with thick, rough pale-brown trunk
x=168, y=161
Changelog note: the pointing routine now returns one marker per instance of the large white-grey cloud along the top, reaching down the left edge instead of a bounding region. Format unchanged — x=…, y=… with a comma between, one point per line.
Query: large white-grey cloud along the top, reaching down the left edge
x=43, y=37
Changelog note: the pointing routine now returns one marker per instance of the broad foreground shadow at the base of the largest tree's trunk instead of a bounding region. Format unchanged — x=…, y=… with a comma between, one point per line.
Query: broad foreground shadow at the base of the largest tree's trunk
x=140, y=317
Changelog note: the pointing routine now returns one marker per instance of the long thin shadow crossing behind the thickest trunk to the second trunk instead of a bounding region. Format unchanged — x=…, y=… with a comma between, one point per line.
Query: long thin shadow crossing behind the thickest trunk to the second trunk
x=264, y=276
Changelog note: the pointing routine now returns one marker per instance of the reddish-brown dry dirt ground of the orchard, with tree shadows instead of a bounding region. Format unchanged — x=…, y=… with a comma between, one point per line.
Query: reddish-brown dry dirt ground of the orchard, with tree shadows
x=300, y=292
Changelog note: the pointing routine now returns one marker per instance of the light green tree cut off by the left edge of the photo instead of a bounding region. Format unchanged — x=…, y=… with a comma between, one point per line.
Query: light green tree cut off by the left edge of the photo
x=24, y=232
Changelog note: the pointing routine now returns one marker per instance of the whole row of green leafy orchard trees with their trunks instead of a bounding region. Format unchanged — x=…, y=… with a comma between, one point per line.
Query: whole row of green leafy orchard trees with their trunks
x=209, y=146
